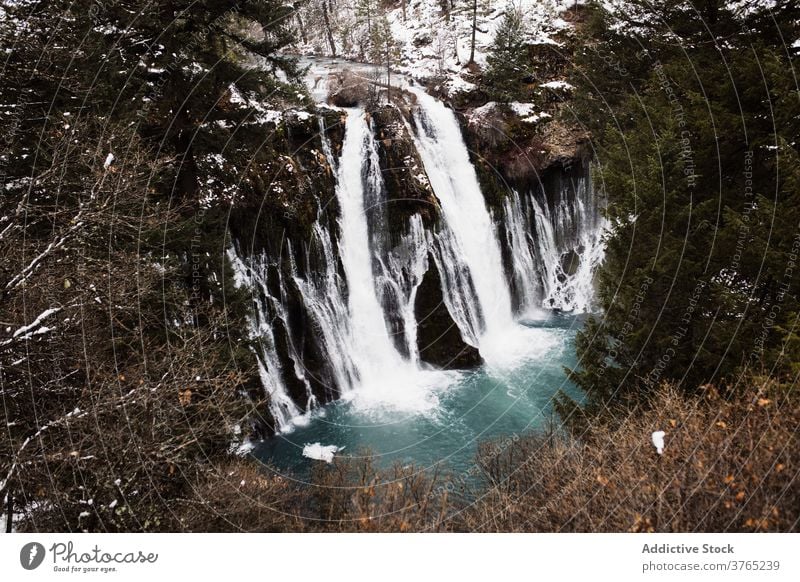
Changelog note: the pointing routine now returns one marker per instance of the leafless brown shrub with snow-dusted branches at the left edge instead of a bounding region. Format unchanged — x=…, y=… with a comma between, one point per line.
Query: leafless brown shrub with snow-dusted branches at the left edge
x=118, y=385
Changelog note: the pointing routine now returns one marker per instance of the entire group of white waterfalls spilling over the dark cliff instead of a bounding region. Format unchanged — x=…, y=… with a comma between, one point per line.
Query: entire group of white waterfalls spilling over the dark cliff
x=334, y=315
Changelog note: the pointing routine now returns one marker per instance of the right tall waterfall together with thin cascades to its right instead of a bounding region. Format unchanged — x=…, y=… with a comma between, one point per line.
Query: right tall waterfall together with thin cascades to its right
x=538, y=240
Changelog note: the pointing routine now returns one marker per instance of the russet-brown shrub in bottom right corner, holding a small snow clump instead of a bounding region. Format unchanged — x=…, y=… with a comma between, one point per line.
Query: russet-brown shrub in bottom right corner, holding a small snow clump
x=730, y=464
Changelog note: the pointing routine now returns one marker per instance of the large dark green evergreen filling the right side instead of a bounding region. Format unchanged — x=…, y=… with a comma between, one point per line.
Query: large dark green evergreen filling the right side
x=696, y=141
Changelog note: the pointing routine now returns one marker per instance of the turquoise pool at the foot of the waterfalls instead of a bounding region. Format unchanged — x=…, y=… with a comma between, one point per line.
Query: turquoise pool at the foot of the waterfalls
x=476, y=406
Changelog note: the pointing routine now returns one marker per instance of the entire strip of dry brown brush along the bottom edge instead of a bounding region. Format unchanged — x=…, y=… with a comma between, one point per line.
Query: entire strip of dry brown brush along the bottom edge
x=730, y=464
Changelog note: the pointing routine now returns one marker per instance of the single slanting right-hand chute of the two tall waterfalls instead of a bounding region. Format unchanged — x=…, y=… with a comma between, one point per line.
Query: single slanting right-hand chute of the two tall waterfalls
x=468, y=238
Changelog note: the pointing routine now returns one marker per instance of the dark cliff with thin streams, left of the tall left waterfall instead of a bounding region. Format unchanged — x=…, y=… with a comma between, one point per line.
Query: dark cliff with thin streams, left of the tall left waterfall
x=275, y=229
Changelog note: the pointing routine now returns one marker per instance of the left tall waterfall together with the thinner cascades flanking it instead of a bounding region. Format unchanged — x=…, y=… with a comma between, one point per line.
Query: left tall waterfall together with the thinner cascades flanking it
x=368, y=362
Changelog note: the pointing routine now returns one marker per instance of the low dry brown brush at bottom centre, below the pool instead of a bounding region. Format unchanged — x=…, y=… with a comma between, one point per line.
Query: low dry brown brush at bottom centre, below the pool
x=349, y=495
